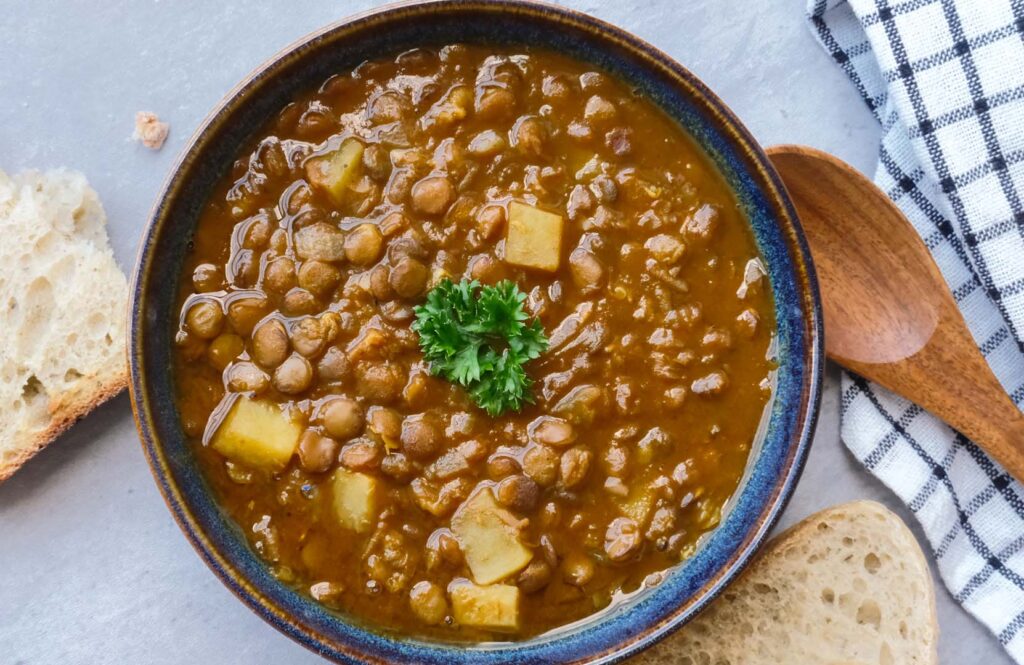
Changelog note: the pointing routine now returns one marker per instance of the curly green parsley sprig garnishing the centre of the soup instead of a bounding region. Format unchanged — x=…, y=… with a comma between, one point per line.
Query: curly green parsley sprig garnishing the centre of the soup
x=479, y=338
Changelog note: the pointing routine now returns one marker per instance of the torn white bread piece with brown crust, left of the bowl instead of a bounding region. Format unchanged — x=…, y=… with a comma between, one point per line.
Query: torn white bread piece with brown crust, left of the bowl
x=63, y=310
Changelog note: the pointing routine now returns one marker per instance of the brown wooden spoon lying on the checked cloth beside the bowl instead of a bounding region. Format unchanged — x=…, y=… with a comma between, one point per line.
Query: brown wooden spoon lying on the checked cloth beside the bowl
x=889, y=315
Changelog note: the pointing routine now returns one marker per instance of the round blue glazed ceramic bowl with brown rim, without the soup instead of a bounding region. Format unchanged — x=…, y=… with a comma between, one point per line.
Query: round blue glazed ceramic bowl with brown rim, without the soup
x=776, y=461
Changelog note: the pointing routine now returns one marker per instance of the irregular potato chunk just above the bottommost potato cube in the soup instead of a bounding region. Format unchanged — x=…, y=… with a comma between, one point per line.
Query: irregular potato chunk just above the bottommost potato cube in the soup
x=489, y=536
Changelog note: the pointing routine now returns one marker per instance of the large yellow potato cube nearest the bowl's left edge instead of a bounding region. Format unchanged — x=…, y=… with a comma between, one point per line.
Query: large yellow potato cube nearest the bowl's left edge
x=258, y=434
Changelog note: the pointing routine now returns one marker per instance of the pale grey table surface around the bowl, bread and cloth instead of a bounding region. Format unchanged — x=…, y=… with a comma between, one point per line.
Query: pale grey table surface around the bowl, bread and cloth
x=93, y=567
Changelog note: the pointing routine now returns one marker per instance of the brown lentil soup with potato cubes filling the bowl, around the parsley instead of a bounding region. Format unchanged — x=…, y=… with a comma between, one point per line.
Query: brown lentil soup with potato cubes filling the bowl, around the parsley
x=385, y=491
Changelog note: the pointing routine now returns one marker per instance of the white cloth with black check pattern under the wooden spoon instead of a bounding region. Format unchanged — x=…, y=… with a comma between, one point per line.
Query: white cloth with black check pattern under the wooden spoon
x=946, y=78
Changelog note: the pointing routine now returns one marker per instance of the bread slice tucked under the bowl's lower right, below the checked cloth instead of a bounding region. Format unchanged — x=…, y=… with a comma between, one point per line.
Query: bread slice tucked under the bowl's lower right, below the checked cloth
x=846, y=587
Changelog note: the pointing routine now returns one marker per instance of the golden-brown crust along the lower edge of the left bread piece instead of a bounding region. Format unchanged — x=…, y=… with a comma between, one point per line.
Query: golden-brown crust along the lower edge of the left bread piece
x=65, y=411
